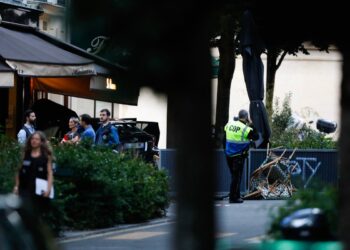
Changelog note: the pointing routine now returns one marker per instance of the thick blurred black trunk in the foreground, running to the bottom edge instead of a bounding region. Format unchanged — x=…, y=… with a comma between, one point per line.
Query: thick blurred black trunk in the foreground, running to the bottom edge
x=194, y=172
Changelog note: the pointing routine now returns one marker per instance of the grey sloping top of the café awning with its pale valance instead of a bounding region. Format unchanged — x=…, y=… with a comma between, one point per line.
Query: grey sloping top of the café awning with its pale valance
x=32, y=53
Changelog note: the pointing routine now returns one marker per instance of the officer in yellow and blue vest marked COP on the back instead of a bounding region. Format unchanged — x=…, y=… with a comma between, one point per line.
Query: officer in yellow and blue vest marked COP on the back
x=239, y=133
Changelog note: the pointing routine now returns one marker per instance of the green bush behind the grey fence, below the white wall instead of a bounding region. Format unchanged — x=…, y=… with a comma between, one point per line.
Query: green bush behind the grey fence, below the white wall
x=289, y=137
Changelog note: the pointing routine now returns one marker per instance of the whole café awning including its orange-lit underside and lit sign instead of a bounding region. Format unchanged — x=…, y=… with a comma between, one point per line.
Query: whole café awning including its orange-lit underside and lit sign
x=59, y=67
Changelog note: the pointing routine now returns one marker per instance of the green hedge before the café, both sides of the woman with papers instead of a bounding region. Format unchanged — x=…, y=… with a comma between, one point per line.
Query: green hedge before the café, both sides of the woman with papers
x=94, y=187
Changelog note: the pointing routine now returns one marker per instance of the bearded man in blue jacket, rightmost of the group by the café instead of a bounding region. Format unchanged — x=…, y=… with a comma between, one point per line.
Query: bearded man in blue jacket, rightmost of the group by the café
x=107, y=134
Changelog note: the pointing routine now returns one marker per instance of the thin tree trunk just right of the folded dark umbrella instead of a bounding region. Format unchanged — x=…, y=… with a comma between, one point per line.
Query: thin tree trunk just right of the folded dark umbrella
x=271, y=70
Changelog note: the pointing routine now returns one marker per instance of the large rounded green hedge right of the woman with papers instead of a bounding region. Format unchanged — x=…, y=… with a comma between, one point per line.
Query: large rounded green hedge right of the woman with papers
x=110, y=188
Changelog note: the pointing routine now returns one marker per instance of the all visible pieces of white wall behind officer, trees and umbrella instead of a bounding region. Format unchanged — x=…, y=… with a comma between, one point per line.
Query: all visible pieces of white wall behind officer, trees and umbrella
x=313, y=80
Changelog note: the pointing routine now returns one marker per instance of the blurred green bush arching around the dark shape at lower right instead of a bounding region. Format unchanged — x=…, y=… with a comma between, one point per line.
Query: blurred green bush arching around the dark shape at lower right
x=325, y=198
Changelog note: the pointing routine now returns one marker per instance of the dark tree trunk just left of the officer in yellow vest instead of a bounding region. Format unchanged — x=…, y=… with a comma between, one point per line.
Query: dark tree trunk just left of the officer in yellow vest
x=226, y=69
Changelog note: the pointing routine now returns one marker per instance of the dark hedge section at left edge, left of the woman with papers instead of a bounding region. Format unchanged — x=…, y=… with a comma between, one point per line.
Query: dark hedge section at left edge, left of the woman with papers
x=9, y=162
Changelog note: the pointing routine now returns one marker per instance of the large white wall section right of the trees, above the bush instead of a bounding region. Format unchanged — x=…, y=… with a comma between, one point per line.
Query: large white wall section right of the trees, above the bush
x=314, y=82
